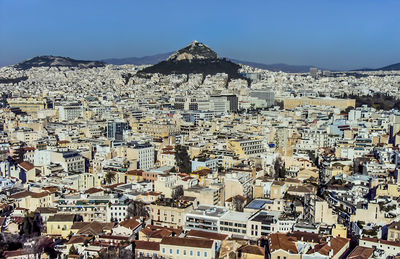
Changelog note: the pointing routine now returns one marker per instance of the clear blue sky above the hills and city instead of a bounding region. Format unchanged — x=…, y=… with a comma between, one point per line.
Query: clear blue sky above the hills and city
x=336, y=34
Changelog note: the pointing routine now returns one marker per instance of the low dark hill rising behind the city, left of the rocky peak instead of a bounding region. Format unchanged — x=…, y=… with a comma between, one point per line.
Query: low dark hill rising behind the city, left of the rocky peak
x=55, y=61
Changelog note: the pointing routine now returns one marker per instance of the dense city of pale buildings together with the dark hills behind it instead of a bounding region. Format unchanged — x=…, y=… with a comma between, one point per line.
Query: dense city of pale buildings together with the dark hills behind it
x=114, y=161
